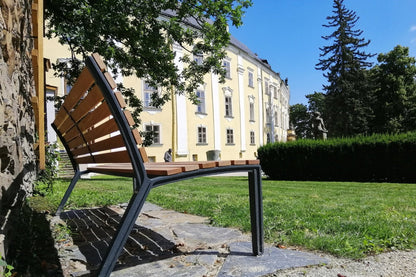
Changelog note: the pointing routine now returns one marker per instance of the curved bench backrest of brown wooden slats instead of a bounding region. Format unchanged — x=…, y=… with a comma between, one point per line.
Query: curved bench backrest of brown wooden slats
x=89, y=117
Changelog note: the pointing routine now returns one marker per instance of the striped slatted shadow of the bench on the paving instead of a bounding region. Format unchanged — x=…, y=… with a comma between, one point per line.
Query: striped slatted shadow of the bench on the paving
x=92, y=230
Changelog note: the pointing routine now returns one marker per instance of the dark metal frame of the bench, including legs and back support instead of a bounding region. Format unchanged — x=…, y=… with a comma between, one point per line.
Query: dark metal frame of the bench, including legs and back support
x=142, y=183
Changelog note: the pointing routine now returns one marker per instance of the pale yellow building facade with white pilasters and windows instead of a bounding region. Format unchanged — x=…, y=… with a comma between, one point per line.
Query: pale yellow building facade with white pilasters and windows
x=231, y=120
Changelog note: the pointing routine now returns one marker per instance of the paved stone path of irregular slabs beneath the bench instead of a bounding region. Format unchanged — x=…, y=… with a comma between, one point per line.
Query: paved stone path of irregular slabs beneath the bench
x=167, y=243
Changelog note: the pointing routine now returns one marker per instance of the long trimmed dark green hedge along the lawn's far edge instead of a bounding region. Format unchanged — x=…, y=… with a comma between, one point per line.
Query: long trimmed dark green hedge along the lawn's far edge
x=385, y=158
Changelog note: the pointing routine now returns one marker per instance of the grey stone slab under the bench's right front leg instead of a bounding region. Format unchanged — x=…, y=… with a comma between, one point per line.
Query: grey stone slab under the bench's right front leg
x=241, y=263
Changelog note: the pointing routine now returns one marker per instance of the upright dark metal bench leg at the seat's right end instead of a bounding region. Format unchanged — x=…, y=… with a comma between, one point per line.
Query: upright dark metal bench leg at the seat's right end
x=256, y=212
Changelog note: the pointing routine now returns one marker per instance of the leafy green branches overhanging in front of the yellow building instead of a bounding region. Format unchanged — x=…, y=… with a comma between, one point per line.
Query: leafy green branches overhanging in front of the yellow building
x=137, y=37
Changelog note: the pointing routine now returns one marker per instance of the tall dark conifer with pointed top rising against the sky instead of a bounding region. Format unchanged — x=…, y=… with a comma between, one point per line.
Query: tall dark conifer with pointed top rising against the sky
x=347, y=109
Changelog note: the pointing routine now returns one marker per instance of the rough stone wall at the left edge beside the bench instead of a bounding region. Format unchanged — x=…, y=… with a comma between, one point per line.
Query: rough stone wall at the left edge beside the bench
x=17, y=129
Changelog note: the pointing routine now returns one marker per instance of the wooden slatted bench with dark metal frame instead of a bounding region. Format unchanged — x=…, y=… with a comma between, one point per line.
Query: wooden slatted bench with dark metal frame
x=95, y=129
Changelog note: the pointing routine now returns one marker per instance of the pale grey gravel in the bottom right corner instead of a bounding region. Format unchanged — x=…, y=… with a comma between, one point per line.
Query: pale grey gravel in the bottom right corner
x=391, y=264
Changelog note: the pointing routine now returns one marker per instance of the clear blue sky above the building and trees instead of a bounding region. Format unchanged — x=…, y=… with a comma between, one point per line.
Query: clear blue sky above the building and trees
x=288, y=34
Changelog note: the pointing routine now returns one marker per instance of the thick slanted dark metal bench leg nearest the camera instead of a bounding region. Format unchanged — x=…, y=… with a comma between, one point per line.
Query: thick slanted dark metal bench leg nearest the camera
x=124, y=229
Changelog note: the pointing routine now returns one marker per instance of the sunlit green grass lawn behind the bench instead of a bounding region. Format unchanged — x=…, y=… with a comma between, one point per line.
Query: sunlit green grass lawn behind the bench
x=346, y=219
